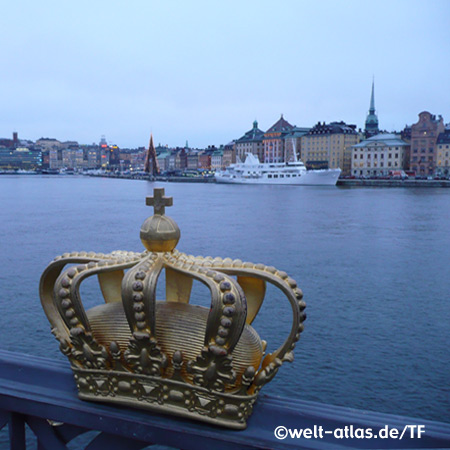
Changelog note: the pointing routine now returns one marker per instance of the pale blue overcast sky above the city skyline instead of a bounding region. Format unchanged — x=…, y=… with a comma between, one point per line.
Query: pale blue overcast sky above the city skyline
x=203, y=71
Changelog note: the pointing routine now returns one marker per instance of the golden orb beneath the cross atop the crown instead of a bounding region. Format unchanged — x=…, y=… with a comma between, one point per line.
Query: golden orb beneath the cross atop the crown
x=160, y=234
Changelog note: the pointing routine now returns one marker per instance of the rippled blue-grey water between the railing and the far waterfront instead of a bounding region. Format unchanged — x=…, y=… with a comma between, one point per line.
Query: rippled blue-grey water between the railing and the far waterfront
x=373, y=265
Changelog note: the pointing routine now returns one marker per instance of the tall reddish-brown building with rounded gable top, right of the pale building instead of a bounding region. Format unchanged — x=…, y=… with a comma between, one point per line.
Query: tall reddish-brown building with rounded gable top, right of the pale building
x=424, y=136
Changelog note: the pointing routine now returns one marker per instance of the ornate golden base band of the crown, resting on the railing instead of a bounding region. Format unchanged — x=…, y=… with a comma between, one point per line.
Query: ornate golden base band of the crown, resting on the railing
x=166, y=396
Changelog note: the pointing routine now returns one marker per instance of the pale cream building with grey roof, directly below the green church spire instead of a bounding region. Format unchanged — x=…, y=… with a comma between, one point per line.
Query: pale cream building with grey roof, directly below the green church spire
x=379, y=155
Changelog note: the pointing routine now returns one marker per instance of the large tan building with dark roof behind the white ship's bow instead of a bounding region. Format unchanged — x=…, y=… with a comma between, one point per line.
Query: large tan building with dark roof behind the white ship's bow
x=329, y=146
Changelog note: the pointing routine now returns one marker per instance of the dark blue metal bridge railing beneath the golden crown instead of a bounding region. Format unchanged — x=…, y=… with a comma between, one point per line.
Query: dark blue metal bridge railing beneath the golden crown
x=34, y=389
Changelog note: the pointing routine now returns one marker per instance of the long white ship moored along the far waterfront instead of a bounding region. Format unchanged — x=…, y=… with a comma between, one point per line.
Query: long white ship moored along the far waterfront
x=254, y=172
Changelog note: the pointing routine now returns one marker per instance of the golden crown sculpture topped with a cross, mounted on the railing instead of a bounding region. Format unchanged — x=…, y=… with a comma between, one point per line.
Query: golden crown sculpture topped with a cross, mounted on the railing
x=168, y=356
